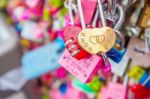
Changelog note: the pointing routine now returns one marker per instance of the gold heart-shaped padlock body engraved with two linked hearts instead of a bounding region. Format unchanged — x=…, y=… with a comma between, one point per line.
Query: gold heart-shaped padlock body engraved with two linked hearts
x=95, y=40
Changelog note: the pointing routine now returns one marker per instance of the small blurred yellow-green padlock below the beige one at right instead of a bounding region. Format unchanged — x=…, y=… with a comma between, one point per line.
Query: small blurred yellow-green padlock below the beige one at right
x=136, y=73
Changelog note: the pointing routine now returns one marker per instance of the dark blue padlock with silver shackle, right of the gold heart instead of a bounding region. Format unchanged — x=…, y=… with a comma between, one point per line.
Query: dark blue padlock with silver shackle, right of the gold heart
x=118, y=51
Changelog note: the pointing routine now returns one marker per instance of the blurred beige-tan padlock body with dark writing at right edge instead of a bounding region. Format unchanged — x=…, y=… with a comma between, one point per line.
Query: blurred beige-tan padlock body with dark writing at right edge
x=136, y=51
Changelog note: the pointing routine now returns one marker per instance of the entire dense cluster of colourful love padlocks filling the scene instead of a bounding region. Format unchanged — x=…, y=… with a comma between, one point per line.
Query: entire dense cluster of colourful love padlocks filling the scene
x=83, y=49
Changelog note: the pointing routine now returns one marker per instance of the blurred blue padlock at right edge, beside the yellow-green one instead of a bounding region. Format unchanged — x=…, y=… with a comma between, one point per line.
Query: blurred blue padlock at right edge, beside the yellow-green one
x=145, y=79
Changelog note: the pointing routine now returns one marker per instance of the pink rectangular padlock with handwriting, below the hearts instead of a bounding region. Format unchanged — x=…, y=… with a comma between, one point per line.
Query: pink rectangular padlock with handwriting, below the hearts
x=83, y=69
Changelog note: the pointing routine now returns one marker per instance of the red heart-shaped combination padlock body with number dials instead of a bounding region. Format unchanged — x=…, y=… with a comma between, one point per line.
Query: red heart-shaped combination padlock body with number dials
x=71, y=41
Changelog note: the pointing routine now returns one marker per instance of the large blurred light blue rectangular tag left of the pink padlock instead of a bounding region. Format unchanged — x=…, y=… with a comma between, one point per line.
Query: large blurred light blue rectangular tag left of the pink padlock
x=42, y=60
